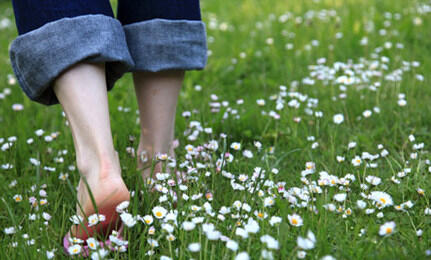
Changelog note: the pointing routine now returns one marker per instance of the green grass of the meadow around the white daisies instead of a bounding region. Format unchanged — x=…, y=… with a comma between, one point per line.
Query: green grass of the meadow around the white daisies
x=243, y=65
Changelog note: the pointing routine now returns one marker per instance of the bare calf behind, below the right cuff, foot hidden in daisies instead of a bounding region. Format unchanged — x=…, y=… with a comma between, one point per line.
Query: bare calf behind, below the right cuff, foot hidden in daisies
x=157, y=94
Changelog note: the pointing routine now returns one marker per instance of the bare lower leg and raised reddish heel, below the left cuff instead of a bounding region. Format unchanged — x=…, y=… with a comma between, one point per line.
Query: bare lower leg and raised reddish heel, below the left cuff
x=82, y=93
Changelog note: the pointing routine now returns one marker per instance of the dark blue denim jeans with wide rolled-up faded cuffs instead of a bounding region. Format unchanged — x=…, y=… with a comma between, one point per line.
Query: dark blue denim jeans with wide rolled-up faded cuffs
x=147, y=35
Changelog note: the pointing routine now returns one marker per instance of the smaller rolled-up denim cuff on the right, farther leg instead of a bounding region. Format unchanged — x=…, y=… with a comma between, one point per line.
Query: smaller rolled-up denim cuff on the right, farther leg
x=162, y=44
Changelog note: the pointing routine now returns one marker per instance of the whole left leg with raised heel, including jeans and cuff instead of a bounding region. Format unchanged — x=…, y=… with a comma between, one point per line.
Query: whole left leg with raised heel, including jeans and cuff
x=72, y=52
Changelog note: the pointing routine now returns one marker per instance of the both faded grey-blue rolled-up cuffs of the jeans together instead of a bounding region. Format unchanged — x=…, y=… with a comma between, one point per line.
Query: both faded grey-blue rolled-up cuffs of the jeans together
x=40, y=56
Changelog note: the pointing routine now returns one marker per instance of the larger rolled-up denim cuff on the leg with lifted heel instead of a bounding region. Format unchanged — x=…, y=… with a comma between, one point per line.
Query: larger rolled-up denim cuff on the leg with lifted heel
x=40, y=56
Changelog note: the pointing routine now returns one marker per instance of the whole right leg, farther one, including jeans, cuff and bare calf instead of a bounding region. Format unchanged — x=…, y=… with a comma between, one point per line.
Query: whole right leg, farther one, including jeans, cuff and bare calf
x=165, y=38
